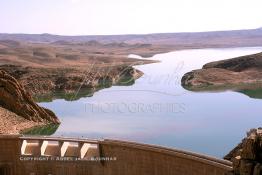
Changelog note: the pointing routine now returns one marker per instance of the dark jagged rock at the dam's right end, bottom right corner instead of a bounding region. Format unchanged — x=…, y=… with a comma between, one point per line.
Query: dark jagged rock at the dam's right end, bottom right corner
x=247, y=156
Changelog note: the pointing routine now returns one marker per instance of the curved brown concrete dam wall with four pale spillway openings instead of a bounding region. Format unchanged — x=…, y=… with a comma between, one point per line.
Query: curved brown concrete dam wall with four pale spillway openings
x=38, y=155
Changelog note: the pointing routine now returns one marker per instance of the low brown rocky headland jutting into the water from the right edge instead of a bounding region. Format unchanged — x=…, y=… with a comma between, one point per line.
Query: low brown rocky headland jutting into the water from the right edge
x=234, y=74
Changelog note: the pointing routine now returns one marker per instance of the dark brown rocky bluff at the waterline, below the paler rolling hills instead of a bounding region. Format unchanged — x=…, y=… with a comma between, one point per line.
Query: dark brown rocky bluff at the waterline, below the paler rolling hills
x=46, y=81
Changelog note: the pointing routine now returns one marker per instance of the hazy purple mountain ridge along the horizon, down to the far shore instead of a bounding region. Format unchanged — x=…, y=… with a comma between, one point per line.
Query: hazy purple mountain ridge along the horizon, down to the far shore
x=216, y=39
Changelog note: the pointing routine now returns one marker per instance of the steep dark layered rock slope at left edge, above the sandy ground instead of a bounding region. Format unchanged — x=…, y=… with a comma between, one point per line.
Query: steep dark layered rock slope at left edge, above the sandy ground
x=14, y=98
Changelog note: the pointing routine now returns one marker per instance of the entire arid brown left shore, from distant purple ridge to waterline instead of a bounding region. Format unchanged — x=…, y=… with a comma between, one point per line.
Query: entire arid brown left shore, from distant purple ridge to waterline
x=44, y=69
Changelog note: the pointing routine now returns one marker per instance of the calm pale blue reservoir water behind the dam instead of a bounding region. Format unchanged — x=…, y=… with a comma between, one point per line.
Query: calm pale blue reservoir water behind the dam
x=157, y=110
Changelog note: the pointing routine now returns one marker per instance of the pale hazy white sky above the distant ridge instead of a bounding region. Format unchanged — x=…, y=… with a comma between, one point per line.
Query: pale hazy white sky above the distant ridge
x=86, y=17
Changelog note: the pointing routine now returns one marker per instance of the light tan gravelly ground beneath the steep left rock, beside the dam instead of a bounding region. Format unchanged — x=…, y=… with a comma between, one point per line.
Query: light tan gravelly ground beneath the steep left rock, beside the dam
x=10, y=123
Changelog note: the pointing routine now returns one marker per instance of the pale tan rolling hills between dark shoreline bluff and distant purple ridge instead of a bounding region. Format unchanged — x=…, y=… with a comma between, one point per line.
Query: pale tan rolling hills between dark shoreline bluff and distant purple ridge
x=73, y=55
